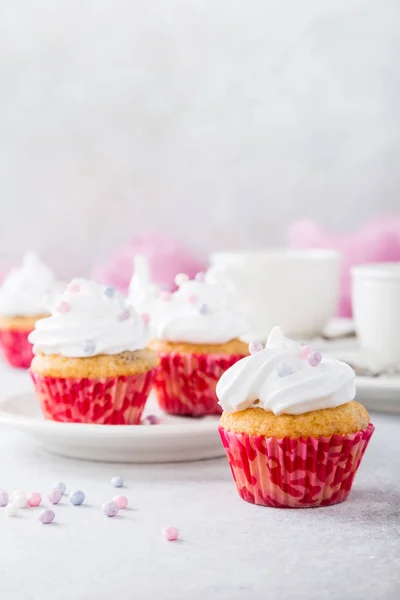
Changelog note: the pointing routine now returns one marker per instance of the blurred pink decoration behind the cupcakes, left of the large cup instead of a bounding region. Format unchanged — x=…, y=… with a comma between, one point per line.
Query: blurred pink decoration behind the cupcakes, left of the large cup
x=166, y=255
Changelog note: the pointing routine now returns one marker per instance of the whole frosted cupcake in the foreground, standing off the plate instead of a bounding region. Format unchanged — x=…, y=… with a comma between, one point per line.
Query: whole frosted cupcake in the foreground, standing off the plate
x=292, y=432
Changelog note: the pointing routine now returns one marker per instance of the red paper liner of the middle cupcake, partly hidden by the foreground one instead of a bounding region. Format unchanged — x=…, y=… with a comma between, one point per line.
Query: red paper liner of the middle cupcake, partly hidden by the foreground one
x=185, y=383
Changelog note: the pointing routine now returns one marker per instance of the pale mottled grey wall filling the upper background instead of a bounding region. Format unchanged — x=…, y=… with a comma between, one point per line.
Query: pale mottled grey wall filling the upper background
x=218, y=121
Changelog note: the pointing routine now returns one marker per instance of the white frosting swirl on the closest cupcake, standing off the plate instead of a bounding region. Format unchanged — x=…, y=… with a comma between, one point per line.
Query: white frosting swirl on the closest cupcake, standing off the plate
x=286, y=378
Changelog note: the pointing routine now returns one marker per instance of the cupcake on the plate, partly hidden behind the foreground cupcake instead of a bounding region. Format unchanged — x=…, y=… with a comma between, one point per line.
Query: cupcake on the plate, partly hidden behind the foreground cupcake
x=196, y=332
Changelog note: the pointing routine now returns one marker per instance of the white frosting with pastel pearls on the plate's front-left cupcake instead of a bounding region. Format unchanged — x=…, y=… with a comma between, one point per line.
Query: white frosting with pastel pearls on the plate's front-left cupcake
x=88, y=319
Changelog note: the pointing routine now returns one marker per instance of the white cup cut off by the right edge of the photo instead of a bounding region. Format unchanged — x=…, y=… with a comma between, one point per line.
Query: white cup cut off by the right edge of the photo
x=376, y=309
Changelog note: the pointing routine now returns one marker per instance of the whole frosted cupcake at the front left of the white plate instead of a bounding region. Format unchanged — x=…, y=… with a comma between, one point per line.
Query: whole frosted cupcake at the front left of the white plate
x=91, y=364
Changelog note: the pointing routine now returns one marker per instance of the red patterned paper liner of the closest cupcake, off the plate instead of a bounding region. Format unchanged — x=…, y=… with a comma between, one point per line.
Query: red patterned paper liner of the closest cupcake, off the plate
x=294, y=473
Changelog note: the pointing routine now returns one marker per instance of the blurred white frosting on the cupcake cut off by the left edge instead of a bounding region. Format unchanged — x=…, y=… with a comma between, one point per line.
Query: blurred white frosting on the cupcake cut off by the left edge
x=24, y=290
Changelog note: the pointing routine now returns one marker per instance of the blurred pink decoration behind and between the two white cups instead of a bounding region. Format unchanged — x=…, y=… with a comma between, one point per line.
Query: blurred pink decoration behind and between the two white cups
x=377, y=241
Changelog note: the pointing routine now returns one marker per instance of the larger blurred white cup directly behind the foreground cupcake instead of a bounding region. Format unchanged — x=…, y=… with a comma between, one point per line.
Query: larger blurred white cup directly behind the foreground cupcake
x=296, y=289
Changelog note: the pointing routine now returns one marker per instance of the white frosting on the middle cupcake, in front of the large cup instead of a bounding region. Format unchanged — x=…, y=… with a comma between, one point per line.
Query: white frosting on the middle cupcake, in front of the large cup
x=201, y=311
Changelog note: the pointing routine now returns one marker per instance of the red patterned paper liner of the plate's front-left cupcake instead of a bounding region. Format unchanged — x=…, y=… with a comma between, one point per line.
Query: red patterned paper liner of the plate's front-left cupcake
x=103, y=401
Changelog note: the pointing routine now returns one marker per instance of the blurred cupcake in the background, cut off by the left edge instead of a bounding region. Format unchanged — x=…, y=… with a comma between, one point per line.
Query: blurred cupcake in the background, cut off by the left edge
x=22, y=303
